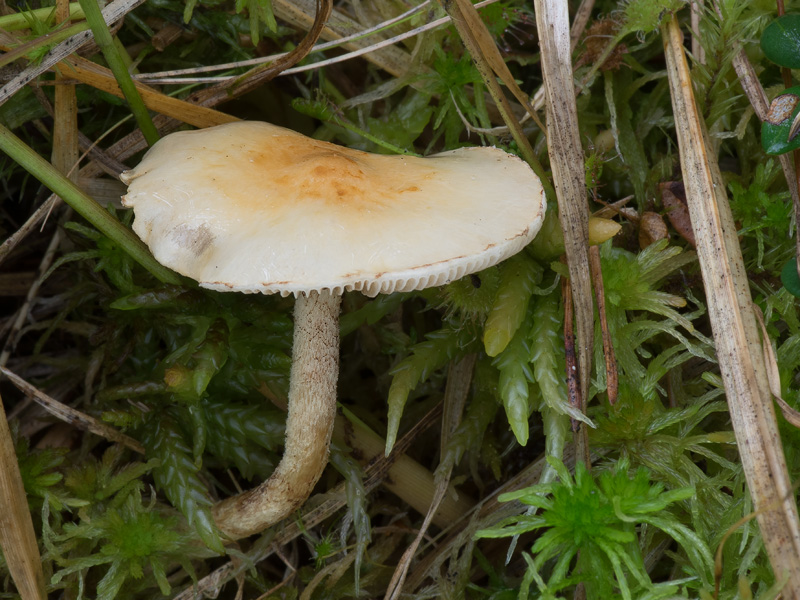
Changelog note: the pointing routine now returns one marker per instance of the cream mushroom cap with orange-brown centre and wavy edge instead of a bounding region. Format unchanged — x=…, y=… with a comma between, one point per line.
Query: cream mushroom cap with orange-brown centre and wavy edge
x=252, y=207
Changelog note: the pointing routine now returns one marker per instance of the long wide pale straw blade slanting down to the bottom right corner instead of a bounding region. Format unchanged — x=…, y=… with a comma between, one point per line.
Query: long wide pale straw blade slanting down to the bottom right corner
x=733, y=323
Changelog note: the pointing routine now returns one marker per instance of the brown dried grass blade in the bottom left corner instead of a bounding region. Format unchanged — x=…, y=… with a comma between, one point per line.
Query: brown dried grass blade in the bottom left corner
x=17, y=537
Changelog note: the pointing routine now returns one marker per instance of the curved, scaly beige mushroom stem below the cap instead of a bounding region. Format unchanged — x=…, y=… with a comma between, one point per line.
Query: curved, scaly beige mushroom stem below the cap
x=312, y=408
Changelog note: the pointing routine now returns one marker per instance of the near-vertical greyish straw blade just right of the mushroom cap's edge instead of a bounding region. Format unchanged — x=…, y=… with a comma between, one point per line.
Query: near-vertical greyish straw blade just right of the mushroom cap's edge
x=566, y=160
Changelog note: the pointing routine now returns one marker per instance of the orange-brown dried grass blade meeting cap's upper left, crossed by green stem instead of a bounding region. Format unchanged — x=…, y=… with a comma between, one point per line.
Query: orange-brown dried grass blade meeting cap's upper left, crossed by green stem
x=101, y=78
